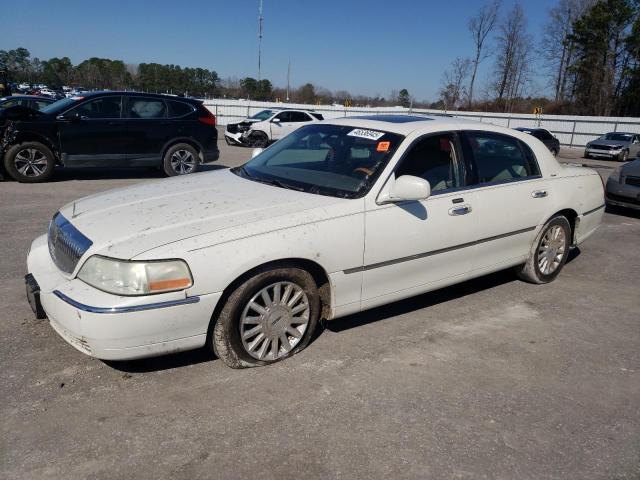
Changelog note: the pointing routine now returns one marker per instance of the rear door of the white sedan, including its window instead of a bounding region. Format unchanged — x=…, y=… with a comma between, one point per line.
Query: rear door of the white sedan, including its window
x=512, y=198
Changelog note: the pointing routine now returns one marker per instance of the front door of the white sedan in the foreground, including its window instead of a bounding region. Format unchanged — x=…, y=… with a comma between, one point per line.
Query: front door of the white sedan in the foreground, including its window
x=411, y=247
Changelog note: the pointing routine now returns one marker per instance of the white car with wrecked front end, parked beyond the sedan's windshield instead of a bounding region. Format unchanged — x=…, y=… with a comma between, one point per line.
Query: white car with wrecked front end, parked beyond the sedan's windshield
x=268, y=126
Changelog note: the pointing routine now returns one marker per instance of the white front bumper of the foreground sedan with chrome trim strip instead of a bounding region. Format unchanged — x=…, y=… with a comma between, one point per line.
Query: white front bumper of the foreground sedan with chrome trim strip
x=113, y=327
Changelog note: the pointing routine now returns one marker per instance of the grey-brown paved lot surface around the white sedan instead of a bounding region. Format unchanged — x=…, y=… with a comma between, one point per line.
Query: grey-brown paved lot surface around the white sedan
x=493, y=378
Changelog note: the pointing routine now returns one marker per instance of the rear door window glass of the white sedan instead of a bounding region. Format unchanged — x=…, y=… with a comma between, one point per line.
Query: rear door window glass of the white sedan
x=501, y=158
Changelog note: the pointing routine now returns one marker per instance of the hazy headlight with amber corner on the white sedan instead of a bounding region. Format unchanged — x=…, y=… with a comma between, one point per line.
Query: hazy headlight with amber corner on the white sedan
x=123, y=277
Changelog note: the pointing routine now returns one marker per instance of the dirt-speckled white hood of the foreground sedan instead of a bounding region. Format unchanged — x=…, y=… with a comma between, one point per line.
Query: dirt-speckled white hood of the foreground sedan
x=127, y=222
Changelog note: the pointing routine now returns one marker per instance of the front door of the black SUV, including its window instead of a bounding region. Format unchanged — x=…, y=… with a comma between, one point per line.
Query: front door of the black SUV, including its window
x=93, y=133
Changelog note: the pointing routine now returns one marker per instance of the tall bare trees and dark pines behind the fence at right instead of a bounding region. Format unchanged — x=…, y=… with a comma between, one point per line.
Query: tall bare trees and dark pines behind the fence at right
x=589, y=51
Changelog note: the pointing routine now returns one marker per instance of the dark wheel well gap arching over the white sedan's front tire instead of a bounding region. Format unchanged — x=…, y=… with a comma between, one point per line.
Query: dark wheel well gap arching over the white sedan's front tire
x=318, y=273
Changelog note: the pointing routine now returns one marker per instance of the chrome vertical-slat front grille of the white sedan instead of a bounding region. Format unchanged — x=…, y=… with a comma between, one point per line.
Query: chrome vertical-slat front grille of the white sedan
x=66, y=243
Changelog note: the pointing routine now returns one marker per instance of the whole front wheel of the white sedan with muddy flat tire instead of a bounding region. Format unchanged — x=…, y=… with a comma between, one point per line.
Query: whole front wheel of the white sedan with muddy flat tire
x=243, y=337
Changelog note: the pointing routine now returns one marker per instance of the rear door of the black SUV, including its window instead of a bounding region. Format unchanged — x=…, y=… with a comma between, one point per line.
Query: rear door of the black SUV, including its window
x=149, y=128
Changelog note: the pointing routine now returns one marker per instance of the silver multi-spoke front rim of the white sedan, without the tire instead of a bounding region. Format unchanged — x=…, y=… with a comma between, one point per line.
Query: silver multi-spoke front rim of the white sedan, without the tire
x=274, y=321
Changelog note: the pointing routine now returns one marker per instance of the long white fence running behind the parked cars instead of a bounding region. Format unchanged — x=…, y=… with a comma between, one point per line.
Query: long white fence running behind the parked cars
x=572, y=131
